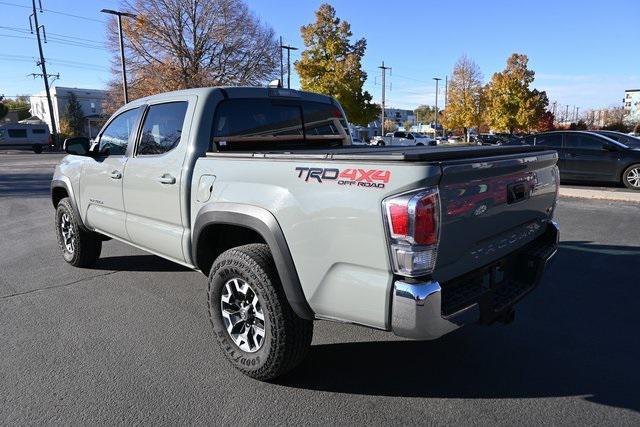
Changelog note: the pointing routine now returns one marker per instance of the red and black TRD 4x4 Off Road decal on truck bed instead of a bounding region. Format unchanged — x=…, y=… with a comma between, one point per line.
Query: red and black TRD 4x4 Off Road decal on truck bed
x=374, y=178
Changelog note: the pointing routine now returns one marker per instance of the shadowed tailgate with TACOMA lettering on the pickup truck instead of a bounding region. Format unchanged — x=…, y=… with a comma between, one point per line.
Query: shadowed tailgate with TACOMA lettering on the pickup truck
x=492, y=206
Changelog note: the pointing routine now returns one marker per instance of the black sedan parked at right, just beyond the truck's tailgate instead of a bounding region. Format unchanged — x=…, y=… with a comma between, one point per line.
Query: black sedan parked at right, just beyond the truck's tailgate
x=588, y=156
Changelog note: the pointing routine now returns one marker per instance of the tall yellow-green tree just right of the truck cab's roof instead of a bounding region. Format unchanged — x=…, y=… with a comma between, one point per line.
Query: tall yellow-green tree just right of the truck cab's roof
x=331, y=65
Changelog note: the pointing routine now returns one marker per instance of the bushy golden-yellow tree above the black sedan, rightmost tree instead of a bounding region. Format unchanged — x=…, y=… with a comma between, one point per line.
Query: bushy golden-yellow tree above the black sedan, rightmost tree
x=511, y=104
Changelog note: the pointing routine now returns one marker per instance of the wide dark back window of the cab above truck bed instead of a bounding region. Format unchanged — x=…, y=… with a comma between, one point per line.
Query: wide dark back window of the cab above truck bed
x=262, y=124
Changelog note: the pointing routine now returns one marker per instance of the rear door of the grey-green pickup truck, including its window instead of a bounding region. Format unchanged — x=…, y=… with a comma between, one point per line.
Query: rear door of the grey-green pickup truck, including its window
x=154, y=180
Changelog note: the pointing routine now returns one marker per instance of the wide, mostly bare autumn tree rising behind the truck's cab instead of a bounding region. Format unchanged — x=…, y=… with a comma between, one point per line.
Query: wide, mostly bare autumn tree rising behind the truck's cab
x=181, y=44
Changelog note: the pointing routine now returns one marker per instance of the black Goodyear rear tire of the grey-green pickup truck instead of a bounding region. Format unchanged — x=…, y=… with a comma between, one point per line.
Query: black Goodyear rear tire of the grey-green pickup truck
x=287, y=337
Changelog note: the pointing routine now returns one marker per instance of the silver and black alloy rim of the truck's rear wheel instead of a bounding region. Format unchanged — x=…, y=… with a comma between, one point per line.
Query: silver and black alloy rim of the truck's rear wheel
x=242, y=315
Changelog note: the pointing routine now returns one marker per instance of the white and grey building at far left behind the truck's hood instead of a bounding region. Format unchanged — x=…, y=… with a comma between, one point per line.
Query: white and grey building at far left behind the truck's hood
x=90, y=101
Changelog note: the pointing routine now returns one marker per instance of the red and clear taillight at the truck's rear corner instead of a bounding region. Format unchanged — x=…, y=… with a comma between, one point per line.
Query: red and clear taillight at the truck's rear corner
x=413, y=226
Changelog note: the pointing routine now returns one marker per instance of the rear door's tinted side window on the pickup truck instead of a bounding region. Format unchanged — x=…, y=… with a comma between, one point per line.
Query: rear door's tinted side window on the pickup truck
x=162, y=128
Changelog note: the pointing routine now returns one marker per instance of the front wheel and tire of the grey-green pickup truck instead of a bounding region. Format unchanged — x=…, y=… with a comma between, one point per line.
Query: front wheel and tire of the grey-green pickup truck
x=86, y=245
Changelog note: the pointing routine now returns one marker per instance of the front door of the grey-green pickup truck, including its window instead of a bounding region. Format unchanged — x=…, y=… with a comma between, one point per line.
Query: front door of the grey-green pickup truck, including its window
x=101, y=183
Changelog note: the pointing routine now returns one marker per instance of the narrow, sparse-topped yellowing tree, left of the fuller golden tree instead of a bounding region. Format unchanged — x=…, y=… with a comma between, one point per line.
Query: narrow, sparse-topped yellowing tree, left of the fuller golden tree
x=464, y=97
